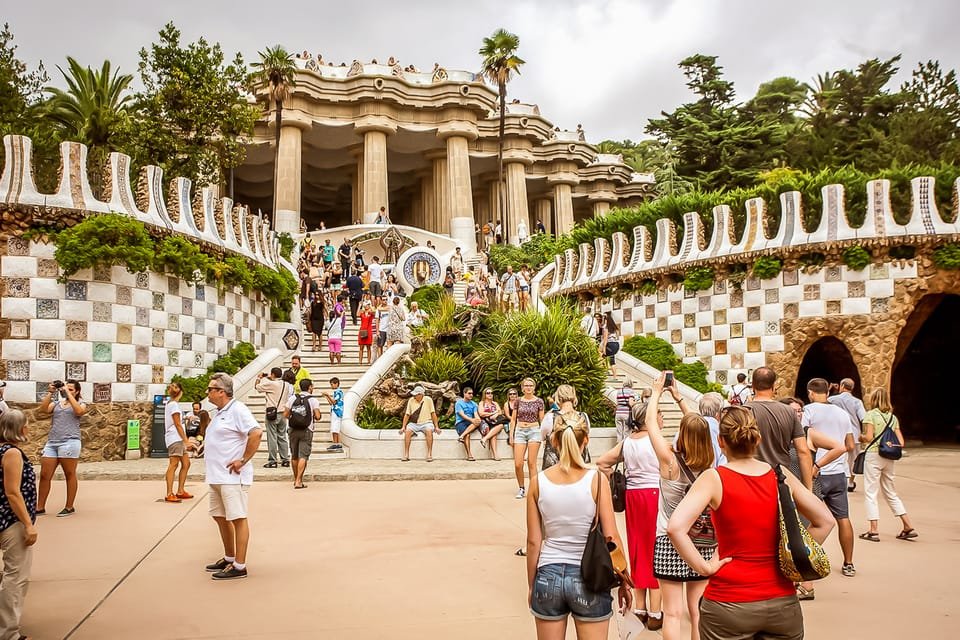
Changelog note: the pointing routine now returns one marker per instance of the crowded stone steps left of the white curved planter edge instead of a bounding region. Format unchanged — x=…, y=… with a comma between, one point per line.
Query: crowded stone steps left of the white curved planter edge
x=318, y=364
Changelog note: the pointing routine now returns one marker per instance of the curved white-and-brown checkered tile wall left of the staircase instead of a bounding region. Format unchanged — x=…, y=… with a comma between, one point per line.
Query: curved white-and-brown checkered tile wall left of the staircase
x=122, y=335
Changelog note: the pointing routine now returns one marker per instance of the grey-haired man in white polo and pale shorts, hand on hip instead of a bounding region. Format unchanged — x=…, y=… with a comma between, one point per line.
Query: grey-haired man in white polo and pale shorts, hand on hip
x=233, y=436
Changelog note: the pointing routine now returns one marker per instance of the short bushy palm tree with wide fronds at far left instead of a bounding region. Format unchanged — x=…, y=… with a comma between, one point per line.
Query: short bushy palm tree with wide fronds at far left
x=91, y=110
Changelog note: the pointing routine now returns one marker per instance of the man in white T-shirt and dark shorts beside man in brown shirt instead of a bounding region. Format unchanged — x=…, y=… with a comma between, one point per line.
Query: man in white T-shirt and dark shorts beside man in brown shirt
x=833, y=422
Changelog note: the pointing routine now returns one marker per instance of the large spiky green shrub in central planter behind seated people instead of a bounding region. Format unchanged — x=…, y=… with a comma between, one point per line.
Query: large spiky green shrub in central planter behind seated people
x=550, y=348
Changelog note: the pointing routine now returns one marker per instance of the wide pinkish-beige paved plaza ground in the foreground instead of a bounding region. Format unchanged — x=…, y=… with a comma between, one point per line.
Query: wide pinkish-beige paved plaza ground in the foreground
x=412, y=560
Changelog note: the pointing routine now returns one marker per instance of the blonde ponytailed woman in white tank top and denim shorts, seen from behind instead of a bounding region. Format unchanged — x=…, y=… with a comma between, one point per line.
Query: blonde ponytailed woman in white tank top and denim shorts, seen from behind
x=560, y=511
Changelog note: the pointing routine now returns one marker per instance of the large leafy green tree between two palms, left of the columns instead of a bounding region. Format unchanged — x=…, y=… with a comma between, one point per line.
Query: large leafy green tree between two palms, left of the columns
x=193, y=114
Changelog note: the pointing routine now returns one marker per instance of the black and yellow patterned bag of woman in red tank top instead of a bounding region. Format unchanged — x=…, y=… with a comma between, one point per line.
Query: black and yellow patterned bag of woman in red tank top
x=800, y=557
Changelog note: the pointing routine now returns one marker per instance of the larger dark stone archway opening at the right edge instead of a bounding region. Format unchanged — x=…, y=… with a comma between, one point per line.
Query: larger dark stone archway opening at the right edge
x=922, y=383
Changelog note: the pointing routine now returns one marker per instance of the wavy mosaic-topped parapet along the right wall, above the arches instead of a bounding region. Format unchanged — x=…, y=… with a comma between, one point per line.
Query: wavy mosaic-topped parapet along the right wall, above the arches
x=604, y=264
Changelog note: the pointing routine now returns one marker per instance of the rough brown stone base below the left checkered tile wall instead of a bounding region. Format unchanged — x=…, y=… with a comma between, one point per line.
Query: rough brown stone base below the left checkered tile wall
x=103, y=429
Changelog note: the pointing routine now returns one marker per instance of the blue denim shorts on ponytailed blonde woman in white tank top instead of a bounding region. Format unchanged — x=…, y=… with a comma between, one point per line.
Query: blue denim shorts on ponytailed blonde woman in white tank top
x=558, y=591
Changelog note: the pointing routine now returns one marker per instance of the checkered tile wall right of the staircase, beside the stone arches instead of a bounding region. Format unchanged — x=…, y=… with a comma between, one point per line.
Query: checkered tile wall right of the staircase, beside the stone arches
x=732, y=330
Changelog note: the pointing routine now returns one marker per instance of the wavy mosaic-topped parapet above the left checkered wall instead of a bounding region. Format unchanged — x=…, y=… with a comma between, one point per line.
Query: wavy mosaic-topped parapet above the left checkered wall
x=201, y=216
